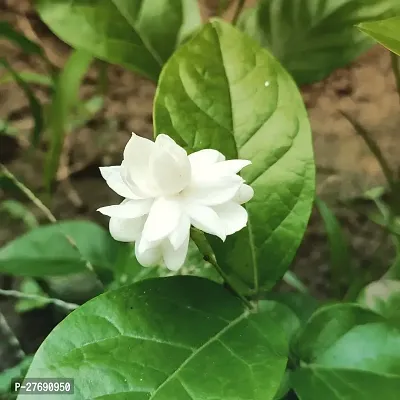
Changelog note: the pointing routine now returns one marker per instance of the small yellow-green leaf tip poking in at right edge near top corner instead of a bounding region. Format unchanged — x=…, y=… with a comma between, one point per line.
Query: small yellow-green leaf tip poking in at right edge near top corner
x=386, y=32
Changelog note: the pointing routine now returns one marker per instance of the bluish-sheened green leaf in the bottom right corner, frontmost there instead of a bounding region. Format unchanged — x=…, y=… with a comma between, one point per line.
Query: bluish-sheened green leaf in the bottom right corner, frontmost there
x=362, y=365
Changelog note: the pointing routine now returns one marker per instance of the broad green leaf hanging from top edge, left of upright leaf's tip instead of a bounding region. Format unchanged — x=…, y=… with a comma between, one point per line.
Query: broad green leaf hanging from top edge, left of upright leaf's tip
x=138, y=34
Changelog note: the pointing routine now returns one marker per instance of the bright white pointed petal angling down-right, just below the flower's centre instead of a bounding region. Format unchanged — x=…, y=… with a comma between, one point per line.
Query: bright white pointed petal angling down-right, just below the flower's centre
x=206, y=219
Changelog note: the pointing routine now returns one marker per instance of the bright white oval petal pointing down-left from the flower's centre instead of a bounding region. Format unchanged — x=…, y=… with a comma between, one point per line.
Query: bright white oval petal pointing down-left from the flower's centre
x=163, y=218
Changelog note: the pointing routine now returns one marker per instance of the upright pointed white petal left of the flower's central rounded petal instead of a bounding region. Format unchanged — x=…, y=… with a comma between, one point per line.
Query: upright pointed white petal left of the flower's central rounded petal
x=136, y=164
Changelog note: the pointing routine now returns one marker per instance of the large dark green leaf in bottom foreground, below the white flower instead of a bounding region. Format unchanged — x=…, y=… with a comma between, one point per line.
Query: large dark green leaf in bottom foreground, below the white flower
x=169, y=338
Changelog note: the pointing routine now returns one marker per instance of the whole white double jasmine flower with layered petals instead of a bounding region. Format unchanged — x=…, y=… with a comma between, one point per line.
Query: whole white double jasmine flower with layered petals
x=166, y=191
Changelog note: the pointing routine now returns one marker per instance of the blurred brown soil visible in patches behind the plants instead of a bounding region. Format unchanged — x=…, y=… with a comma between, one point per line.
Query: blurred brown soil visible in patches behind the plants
x=366, y=90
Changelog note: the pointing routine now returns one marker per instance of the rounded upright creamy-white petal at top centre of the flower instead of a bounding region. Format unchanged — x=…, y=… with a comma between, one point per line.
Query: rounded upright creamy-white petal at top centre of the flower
x=169, y=166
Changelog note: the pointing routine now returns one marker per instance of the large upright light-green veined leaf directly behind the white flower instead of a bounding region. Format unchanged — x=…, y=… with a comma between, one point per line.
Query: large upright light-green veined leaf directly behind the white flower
x=213, y=93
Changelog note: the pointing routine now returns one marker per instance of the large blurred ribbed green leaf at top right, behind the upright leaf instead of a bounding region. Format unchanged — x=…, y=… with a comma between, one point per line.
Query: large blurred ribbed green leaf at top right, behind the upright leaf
x=312, y=38
